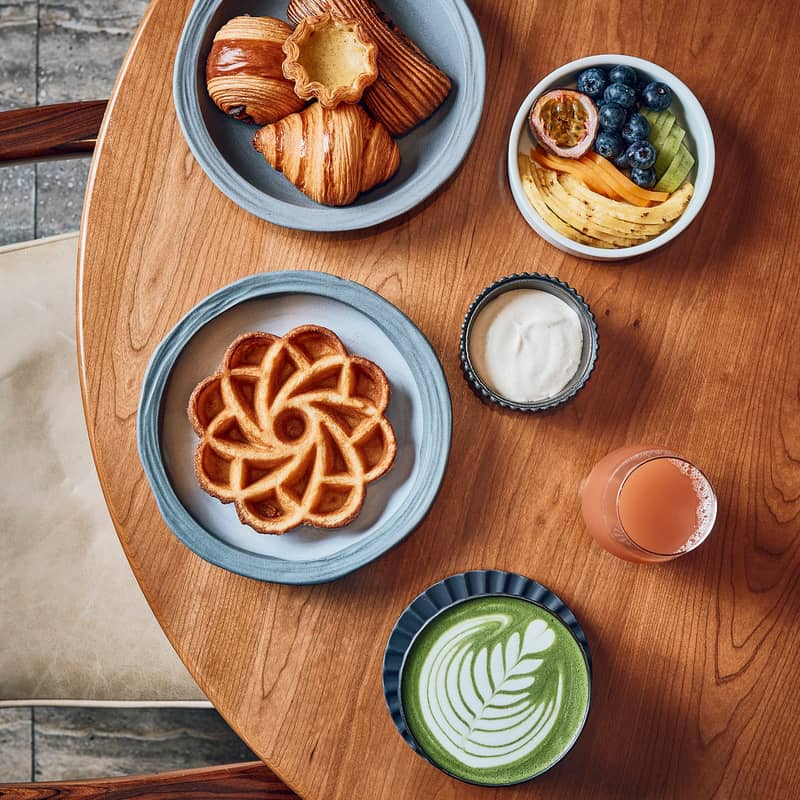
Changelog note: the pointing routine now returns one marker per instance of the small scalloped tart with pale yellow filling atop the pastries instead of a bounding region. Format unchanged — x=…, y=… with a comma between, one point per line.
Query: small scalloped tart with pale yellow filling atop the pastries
x=331, y=58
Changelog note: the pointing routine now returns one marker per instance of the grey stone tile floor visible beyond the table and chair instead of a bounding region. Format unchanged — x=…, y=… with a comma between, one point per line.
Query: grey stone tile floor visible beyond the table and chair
x=56, y=51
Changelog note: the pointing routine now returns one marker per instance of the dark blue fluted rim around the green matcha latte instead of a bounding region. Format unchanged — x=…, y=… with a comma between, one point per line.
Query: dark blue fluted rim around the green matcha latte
x=445, y=594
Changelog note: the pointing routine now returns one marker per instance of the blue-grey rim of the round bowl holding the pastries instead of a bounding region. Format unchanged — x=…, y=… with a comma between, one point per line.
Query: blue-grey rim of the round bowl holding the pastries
x=325, y=218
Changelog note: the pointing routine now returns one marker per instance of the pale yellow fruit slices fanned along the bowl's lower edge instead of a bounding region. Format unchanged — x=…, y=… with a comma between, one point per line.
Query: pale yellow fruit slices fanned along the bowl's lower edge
x=574, y=210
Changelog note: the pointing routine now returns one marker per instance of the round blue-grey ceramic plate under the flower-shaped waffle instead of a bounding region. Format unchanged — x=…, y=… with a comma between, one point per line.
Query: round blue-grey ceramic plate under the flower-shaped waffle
x=370, y=326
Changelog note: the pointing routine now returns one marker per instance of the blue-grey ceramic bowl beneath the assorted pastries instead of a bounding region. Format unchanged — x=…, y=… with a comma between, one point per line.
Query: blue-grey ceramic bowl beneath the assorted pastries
x=429, y=154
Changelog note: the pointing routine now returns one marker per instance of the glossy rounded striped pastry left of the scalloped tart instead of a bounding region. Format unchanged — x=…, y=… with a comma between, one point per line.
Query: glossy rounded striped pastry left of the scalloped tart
x=243, y=70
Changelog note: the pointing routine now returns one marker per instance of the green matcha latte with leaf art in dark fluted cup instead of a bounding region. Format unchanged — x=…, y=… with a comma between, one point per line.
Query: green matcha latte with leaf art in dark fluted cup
x=487, y=675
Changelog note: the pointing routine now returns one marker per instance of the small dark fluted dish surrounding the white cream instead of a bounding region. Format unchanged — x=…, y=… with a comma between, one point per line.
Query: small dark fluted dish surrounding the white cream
x=545, y=283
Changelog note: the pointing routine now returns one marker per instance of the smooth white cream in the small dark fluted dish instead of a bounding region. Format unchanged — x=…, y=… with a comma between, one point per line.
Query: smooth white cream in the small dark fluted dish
x=526, y=345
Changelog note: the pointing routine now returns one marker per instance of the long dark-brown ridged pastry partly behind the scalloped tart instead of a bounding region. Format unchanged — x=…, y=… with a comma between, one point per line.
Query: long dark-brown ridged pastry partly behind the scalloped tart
x=409, y=87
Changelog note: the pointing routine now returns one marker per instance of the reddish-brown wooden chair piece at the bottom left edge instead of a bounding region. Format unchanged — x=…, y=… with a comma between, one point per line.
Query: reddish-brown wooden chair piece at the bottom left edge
x=250, y=781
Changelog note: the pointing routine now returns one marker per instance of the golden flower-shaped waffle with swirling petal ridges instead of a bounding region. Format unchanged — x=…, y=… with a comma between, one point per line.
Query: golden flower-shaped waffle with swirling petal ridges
x=292, y=429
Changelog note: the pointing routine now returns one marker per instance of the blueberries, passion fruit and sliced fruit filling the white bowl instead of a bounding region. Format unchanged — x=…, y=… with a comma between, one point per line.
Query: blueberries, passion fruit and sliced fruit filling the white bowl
x=611, y=165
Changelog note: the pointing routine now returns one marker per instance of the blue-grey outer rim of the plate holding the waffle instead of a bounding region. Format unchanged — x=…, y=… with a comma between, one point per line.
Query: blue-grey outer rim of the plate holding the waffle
x=433, y=454
